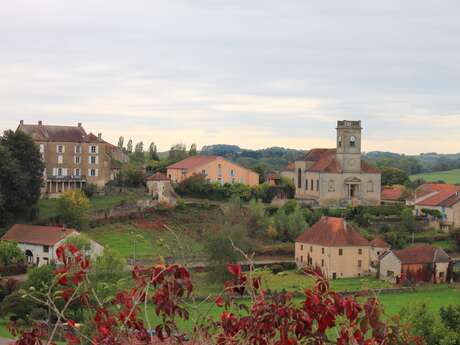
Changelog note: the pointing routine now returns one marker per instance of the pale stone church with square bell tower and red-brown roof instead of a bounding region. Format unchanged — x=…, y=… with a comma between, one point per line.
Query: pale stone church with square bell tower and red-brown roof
x=338, y=177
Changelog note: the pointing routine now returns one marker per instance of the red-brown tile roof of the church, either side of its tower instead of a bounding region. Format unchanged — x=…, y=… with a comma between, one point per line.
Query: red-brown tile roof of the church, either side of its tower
x=325, y=160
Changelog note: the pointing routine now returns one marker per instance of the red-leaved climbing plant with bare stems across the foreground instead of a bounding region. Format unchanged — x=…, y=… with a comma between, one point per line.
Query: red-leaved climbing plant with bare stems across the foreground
x=321, y=317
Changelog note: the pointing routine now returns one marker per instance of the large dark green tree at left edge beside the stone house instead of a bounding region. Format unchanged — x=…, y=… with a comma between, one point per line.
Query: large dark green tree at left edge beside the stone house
x=21, y=176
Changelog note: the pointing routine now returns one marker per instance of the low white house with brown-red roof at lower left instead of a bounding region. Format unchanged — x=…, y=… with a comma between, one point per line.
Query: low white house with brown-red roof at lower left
x=39, y=243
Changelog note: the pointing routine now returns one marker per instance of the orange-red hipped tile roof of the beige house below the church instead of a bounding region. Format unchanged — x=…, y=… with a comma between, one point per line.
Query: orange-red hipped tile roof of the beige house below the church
x=332, y=232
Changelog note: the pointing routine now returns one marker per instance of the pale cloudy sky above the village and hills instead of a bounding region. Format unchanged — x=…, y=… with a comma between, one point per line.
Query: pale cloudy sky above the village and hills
x=255, y=73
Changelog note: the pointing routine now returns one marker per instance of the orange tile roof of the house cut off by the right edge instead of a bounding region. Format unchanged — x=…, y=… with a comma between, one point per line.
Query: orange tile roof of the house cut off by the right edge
x=436, y=194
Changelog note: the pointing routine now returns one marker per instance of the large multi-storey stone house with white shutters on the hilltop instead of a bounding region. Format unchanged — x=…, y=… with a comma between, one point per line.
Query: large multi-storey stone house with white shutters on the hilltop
x=72, y=157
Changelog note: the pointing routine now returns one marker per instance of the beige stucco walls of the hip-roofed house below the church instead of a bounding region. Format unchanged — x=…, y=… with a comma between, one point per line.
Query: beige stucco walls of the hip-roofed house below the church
x=344, y=266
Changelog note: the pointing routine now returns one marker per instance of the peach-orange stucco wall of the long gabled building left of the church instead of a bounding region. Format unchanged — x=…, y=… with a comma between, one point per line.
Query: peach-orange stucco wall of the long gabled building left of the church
x=215, y=174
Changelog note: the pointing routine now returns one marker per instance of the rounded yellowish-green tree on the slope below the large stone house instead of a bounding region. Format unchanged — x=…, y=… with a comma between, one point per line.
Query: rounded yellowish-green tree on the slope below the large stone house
x=74, y=208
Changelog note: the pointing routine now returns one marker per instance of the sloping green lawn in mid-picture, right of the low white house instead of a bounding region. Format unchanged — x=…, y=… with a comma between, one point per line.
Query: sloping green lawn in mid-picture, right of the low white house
x=130, y=239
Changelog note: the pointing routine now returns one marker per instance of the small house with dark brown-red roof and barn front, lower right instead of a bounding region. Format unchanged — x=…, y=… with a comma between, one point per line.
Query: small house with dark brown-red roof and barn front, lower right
x=421, y=262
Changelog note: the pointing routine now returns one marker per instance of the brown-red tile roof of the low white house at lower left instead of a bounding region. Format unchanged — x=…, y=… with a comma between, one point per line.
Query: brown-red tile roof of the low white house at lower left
x=39, y=235
